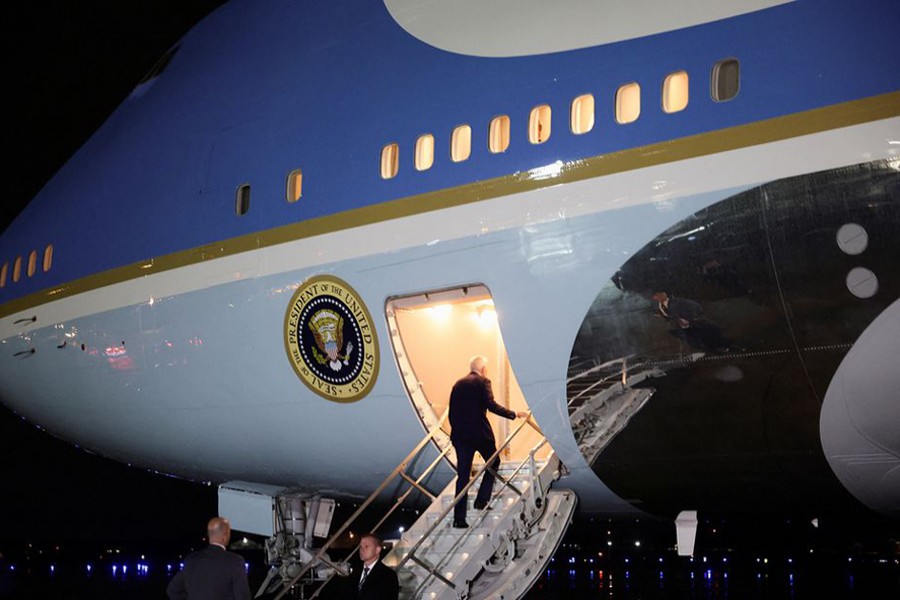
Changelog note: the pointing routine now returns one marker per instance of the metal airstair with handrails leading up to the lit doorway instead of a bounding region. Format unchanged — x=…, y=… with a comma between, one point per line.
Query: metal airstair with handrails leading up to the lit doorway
x=499, y=556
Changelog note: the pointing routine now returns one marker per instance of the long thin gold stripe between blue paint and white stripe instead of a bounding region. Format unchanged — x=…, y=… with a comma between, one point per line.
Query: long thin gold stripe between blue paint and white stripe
x=772, y=130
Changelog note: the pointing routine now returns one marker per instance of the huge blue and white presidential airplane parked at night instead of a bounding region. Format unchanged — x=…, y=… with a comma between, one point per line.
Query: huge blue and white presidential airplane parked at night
x=672, y=228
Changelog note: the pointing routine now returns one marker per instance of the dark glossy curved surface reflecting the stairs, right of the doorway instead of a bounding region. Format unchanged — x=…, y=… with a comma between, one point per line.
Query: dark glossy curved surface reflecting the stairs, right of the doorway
x=698, y=375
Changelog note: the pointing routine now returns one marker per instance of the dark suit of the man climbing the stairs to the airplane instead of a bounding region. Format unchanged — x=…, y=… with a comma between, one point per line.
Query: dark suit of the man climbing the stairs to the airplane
x=471, y=432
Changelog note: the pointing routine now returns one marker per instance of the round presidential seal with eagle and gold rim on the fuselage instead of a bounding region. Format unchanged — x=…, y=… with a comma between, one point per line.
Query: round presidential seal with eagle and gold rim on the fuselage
x=330, y=339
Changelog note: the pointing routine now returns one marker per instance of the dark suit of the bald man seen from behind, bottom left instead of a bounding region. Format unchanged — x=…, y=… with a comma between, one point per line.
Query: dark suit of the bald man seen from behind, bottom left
x=211, y=574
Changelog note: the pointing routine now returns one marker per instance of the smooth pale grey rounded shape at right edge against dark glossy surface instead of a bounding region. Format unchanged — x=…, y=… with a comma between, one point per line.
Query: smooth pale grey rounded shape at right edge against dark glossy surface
x=860, y=421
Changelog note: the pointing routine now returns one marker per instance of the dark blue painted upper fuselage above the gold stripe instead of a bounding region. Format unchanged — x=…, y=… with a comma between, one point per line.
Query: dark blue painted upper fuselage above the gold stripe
x=261, y=88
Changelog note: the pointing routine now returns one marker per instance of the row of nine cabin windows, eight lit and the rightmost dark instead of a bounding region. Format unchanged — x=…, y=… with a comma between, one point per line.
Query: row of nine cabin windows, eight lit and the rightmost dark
x=724, y=85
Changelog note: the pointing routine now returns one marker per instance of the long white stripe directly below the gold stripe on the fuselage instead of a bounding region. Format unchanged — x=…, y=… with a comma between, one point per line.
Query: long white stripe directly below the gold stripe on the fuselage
x=660, y=185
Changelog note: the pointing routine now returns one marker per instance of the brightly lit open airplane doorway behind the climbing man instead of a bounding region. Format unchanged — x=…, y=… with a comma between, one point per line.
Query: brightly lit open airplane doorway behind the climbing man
x=434, y=336
